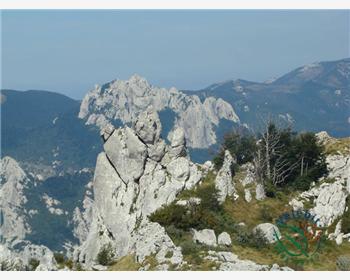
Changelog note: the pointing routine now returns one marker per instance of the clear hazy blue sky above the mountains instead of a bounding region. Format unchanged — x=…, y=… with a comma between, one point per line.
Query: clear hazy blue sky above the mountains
x=70, y=51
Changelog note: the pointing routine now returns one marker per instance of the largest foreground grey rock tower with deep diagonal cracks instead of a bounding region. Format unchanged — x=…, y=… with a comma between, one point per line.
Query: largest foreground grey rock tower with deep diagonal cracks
x=136, y=175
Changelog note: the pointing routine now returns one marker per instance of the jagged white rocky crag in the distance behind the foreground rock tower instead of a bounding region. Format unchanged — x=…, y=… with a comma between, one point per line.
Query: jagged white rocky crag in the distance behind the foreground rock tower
x=126, y=100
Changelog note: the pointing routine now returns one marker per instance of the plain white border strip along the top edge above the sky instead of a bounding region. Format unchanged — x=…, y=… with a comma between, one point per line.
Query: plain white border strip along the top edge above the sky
x=175, y=4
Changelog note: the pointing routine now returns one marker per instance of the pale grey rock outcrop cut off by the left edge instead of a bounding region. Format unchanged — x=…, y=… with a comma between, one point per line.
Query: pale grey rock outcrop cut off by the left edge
x=13, y=225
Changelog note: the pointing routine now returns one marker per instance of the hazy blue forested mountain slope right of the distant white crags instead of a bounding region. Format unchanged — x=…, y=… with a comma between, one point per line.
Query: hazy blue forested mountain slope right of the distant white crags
x=313, y=97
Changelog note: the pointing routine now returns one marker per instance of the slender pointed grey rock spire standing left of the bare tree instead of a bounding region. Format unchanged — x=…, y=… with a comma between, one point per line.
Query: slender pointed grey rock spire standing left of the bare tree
x=223, y=181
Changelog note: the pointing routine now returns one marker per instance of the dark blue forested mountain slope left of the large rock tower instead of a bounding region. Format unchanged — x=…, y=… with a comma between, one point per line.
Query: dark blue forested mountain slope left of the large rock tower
x=41, y=130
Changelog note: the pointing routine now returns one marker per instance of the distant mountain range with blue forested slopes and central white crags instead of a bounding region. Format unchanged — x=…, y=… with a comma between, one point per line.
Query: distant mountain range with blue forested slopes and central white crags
x=53, y=133
